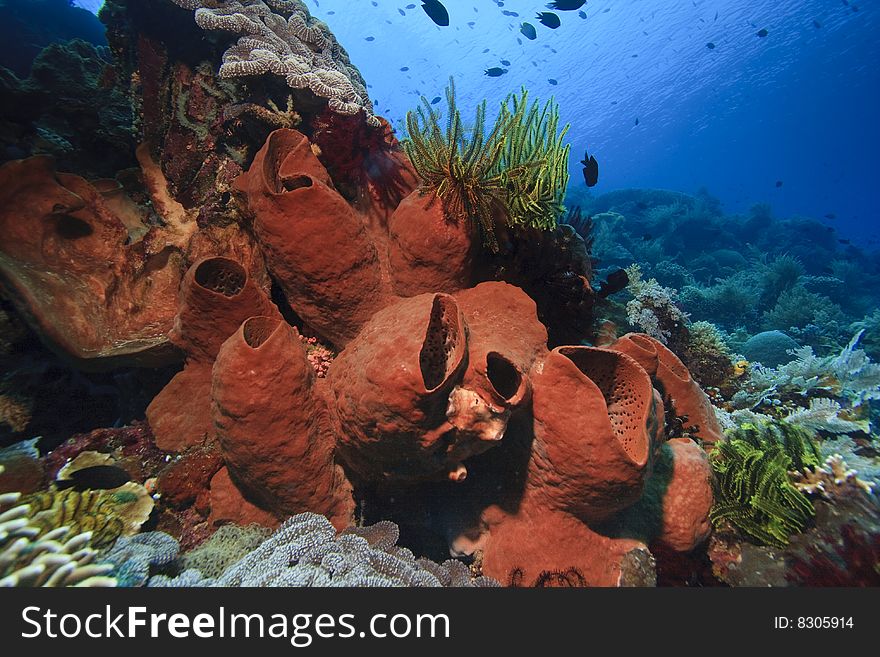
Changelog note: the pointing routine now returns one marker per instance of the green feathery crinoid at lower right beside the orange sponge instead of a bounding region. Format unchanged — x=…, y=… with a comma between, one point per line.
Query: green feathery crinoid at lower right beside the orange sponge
x=754, y=494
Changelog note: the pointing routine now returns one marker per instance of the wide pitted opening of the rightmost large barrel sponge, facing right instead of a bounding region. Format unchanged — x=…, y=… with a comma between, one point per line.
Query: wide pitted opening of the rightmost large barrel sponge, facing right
x=627, y=391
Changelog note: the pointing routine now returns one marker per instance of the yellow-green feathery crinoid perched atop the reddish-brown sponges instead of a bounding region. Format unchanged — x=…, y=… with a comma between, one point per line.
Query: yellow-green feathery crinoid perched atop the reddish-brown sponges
x=516, y=174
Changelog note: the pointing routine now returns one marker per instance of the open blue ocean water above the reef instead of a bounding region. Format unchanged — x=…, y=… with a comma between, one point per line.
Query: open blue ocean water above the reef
x=799, y=105
